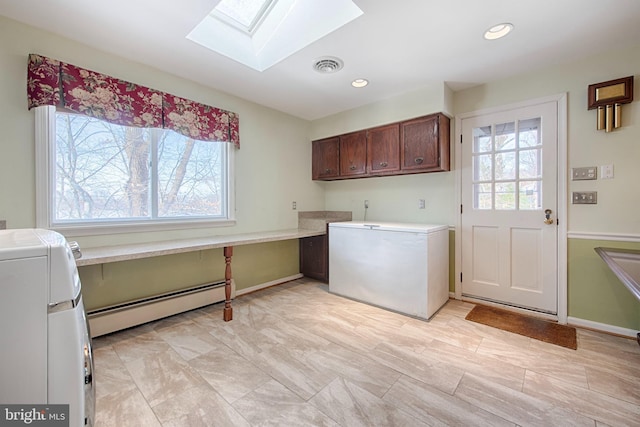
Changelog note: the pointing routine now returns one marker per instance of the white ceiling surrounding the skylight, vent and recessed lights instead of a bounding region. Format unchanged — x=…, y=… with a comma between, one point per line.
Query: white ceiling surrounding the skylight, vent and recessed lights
x=399, y=46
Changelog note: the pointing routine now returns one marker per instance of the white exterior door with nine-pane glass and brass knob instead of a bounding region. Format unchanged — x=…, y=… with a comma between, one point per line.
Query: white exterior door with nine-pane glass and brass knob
x=509, y=180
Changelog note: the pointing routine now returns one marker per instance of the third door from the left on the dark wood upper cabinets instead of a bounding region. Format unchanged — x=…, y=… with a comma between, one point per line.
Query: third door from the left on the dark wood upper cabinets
x=383, y=149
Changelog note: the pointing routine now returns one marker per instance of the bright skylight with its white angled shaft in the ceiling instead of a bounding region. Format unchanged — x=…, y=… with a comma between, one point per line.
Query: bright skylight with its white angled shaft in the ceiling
x=261, y=33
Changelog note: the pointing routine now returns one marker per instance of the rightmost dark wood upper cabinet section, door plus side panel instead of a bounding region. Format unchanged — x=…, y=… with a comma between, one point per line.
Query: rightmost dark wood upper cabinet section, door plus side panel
x=425, y=143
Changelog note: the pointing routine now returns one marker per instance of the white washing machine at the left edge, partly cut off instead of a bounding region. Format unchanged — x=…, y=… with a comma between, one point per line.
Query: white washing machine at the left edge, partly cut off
x=45, y=356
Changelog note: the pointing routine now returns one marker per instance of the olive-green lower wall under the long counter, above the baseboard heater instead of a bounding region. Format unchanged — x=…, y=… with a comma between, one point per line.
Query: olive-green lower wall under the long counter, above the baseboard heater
x=104, y=285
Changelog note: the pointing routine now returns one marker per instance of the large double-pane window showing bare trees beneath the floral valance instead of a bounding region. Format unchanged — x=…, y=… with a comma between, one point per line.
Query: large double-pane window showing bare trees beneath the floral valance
x=99, y=175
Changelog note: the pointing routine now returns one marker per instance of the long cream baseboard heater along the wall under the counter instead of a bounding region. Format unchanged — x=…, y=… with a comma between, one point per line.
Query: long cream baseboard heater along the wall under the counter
x=122, y=316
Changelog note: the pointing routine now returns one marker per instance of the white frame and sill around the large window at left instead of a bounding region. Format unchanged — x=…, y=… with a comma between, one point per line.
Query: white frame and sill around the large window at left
x=45, y=140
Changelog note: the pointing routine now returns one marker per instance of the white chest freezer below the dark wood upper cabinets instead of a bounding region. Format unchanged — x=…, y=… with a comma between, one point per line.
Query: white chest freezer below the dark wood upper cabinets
x=401, y=267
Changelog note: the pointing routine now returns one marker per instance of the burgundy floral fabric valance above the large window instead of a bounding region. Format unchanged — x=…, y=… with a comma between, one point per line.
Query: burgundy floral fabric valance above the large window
x=52, y=82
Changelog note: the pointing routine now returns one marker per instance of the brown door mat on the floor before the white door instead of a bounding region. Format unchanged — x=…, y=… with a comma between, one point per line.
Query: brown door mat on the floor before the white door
x=528, y=326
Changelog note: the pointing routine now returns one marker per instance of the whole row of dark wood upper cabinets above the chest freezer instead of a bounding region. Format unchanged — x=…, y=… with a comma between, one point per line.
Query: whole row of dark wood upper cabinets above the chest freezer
x=418, y=145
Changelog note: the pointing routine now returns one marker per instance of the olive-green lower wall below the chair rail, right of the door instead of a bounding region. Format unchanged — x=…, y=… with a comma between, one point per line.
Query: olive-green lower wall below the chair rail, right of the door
x=594, y=292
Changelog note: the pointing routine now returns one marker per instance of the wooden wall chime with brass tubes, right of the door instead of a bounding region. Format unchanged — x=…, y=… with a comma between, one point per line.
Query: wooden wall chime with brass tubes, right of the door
x=608, y=98
